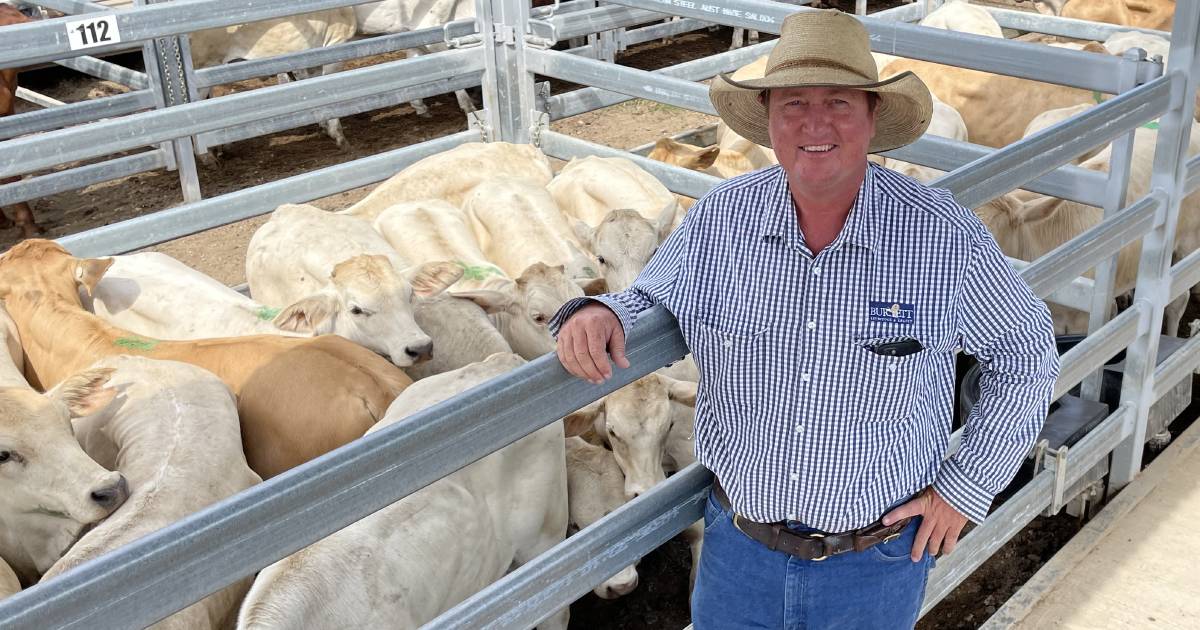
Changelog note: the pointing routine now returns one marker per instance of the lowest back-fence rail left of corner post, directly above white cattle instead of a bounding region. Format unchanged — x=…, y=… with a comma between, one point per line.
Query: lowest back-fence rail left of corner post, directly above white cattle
x=189, y=219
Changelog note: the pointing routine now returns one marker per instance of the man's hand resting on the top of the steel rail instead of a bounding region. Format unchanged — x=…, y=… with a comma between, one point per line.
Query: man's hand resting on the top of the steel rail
x=587, y=339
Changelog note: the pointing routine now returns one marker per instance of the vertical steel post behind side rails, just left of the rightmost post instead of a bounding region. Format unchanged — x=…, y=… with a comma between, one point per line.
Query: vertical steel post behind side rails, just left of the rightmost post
x=1114, y=202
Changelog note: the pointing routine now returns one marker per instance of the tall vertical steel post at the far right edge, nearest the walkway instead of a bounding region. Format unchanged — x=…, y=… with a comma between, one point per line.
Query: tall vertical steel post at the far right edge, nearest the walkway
x=1154, y=271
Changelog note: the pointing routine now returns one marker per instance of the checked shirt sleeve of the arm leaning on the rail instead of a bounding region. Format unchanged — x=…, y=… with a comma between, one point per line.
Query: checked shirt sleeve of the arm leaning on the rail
x=655, y=285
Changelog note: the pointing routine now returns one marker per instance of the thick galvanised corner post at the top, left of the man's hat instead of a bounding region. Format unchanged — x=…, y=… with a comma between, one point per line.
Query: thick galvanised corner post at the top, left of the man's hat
x=508, y=85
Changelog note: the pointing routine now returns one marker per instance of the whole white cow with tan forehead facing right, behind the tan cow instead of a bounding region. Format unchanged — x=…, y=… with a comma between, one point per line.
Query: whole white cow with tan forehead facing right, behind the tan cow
x=335, y=274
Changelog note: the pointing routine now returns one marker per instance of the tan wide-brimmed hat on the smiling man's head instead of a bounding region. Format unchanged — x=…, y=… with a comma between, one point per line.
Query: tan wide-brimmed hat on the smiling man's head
x=826, y=50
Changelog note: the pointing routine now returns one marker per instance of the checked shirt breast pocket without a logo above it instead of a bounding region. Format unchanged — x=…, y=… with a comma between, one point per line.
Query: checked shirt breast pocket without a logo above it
x=731, y=361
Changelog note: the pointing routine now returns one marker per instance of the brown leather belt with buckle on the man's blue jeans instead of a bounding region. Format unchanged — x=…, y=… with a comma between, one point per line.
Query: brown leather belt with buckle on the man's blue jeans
x=811, y=545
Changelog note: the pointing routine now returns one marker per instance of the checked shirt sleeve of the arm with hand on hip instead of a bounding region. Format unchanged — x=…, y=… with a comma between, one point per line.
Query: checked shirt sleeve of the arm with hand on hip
x=1009, y=329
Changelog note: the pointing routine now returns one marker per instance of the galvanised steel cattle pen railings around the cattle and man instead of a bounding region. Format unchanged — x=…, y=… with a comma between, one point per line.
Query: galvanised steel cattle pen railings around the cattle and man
x=505, y=52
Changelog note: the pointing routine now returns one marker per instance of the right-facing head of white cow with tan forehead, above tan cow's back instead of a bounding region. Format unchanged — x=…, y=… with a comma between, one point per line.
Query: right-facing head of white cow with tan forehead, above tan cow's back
x=371, y=304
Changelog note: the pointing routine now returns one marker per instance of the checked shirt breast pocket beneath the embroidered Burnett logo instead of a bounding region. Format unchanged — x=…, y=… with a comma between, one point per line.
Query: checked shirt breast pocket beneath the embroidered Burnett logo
x=889, y=385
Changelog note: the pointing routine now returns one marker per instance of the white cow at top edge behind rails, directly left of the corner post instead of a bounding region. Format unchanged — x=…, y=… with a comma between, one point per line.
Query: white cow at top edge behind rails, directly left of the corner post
x=403, y=16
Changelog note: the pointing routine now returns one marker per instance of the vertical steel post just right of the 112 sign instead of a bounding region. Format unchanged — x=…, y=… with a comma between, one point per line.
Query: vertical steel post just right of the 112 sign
x=169, y=74
